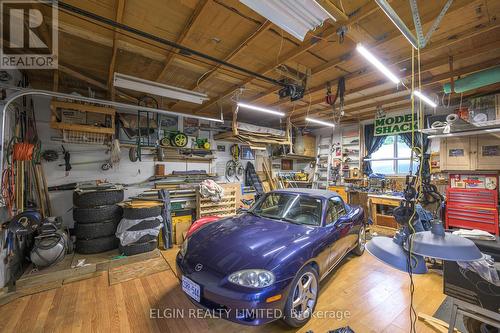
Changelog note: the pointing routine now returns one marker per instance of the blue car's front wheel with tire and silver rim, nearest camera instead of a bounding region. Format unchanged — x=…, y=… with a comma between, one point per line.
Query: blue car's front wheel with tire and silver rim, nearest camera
x=302, y=297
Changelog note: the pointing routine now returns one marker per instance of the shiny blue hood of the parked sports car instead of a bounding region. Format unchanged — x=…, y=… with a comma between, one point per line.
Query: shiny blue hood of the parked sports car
x=242, y=242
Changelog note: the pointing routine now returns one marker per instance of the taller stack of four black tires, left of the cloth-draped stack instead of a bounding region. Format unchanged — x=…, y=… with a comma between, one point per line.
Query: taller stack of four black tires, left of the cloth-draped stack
x=96, y=215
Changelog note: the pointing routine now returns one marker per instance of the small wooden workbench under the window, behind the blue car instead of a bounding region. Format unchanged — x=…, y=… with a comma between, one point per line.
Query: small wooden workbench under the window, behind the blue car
x=381, y=207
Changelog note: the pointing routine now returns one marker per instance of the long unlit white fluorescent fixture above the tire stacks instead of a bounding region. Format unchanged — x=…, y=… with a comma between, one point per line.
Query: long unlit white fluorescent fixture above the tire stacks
x=155, y=88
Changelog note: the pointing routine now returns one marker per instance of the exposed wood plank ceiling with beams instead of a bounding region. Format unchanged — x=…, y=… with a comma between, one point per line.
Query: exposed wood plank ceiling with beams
x=89, y=53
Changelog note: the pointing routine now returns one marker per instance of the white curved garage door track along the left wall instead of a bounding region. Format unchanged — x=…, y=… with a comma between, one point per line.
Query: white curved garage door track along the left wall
x=28, y=92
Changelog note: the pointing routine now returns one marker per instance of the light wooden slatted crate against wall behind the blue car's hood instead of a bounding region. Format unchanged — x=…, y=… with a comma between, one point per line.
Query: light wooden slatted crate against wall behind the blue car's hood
x=226, y=207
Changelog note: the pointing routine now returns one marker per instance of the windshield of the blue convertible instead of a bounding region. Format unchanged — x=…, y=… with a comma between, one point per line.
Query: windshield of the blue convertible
x=293, y=208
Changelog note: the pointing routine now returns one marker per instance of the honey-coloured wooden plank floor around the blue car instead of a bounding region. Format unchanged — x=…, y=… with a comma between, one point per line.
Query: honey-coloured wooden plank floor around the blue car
x=375, y=296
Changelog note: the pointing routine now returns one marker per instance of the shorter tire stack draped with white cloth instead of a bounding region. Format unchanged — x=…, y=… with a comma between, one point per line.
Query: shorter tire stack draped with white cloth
x=143, y=219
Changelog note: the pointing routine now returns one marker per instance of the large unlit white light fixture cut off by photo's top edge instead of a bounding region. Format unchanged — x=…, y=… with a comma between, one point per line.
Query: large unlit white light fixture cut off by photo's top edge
x=296, y=17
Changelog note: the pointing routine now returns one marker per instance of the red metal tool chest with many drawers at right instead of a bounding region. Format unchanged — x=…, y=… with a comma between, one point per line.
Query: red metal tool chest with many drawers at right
x=472, y=203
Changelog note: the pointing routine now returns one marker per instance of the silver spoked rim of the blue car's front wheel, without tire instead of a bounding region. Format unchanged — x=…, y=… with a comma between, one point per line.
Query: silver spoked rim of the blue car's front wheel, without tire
x=304, y=296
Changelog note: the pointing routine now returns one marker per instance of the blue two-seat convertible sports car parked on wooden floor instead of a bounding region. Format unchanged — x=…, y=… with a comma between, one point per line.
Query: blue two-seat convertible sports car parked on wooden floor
x=266, y=263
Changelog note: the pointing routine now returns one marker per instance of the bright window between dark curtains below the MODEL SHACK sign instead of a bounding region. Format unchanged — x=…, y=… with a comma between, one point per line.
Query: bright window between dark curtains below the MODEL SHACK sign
x=393, y=157
